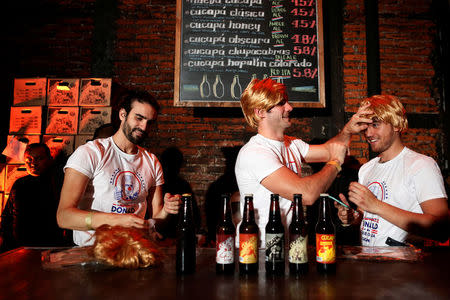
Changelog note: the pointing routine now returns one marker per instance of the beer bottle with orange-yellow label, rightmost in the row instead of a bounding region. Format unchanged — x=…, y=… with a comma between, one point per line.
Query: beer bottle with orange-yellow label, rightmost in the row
x=325, y=238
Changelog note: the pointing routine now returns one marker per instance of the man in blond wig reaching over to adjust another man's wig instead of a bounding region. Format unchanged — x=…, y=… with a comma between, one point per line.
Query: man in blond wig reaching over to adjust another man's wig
x=271, y=161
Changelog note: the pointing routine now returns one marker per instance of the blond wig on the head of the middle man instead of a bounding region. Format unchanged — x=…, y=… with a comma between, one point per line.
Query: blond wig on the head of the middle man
x=261, y=94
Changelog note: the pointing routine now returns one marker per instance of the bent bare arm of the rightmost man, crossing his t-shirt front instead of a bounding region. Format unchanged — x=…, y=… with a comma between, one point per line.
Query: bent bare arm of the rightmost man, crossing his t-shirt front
x=432, y=223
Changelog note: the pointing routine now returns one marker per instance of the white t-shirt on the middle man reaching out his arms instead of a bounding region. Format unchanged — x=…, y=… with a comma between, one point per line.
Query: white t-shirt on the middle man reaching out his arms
x=256, y=160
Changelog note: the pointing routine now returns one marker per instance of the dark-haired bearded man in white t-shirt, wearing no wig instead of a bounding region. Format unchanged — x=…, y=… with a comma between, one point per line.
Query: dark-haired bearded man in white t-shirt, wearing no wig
x=114, y=181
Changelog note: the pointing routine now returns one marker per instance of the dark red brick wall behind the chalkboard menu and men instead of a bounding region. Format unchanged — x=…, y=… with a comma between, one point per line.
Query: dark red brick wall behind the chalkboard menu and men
x=59, y=41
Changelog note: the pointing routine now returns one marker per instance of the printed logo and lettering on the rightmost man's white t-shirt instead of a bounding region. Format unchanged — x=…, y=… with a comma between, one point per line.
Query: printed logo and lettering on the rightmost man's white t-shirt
x=370, y=224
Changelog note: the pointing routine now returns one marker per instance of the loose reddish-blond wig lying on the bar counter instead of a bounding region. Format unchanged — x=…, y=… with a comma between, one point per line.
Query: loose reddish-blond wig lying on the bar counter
x=124, y=247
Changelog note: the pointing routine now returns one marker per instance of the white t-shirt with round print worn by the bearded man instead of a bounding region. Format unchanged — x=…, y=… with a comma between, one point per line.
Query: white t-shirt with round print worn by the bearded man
x=119, y=182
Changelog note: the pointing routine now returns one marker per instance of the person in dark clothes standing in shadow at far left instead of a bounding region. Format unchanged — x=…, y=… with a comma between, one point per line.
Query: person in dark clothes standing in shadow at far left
x=29, y=218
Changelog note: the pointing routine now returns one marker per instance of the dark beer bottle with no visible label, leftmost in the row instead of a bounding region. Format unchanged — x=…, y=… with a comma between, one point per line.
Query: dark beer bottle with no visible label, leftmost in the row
x=186, y=239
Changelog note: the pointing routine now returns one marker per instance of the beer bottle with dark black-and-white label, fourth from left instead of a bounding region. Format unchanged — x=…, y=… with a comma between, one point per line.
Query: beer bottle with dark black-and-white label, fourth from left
x=274, y=239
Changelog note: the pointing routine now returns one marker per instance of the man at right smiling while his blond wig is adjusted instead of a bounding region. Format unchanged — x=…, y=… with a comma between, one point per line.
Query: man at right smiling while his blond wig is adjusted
x=400, y=191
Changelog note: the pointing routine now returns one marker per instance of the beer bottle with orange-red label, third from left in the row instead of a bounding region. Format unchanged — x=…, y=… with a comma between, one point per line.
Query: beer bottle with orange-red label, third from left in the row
x=248, y=239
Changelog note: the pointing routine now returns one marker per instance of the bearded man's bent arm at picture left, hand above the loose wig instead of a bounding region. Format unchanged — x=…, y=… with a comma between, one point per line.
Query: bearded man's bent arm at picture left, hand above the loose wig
x=71, y=217
